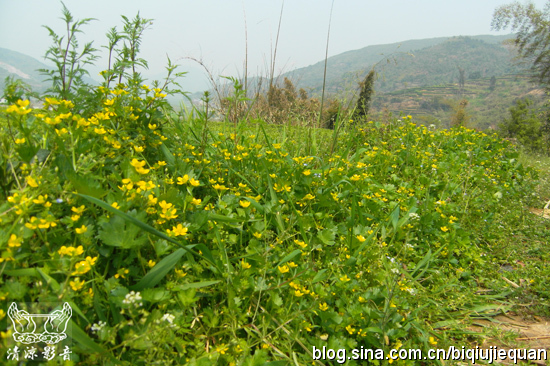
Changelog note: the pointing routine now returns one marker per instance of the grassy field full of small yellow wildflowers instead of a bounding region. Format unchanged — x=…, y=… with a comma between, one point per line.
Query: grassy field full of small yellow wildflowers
x=178, y=240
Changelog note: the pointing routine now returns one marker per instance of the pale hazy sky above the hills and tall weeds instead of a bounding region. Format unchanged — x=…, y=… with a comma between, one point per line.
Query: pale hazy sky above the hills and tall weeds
x=214, y=30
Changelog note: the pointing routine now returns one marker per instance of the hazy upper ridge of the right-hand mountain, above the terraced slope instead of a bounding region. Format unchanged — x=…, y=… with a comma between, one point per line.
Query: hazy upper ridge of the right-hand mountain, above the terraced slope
x=411, y=63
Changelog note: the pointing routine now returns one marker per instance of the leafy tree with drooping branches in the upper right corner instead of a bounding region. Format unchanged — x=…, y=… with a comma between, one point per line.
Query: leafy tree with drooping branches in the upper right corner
x=533, y=34
